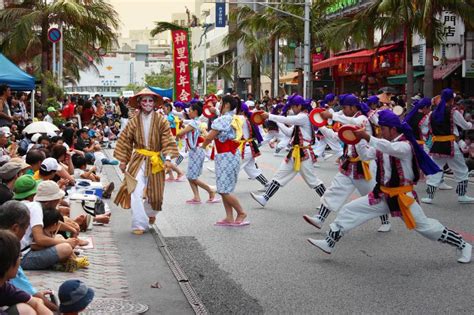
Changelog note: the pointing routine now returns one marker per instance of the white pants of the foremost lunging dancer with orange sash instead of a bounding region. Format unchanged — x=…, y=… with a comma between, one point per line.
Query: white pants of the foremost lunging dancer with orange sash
x=360, y=211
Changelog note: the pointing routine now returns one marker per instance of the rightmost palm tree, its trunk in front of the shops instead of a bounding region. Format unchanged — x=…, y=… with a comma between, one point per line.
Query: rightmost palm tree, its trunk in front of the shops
x=432, y=29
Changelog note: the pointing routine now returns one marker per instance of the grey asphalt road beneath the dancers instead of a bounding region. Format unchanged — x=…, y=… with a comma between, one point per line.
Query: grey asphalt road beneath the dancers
x=271, y=267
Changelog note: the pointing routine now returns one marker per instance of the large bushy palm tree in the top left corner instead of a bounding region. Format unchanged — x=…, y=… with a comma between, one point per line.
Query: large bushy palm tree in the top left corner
x=25, y=30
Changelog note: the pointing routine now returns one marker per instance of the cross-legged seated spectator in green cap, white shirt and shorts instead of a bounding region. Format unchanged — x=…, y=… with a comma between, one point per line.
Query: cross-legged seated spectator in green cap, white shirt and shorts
x=57, y=250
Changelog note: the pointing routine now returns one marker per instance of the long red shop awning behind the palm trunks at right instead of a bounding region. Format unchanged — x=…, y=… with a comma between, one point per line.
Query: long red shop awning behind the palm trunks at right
x=363, y=56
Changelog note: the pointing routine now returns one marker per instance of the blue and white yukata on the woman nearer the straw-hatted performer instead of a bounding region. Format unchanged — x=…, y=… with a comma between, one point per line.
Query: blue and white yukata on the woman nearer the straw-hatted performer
x=196, y=153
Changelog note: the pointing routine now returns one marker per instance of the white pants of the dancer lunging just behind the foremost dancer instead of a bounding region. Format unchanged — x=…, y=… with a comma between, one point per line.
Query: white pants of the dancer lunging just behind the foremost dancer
x=342, y=187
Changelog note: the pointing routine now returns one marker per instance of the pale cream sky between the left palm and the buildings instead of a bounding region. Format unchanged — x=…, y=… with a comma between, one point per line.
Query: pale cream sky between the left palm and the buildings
x=140, y=14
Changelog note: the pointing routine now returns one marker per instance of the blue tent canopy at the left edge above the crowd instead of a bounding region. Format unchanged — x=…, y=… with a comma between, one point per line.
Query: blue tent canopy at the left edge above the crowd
x=16, y=78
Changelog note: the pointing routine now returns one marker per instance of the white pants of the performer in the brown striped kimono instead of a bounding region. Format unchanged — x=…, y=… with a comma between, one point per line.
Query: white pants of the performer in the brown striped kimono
x=140, y=215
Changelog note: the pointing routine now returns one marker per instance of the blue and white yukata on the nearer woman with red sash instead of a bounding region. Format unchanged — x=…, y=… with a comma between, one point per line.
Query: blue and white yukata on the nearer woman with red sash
x=227, y=163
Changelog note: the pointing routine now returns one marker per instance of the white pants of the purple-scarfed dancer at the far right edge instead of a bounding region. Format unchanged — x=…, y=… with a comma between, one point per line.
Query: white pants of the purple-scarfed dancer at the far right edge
x=457, y=164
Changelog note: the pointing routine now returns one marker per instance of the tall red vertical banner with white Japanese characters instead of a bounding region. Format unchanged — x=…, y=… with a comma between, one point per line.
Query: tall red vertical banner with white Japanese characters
x=182, y=61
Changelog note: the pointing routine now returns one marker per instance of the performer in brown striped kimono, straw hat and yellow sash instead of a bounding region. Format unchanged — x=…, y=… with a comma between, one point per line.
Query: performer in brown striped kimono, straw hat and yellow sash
x=145, y=149
